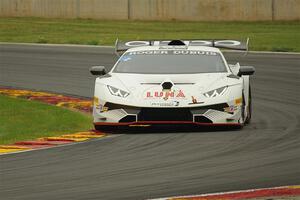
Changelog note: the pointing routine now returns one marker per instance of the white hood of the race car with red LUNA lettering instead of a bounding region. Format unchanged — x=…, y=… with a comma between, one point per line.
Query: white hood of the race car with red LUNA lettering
x=146, y=90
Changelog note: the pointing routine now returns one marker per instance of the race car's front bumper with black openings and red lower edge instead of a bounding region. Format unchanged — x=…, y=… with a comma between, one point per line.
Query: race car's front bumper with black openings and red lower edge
x=218, y=114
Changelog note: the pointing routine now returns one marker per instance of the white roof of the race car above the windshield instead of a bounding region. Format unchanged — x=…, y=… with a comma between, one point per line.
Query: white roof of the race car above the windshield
x=195, y=48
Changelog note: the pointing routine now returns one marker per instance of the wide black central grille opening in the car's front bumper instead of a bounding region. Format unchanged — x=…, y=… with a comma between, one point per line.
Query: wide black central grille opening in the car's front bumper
x=165, y=114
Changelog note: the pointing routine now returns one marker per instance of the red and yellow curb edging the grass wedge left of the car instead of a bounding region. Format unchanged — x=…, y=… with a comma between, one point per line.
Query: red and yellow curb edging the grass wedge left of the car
x=79, y=104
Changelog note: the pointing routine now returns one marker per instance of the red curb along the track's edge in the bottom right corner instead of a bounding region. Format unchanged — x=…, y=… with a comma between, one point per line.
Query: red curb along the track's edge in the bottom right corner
x=286, y=192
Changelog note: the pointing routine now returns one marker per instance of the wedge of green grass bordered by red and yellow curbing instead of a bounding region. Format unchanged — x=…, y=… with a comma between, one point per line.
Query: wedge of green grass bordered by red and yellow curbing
x=21, y=119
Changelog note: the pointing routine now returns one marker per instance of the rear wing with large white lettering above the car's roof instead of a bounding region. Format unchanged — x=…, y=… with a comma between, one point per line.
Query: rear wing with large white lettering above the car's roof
x=122, y=46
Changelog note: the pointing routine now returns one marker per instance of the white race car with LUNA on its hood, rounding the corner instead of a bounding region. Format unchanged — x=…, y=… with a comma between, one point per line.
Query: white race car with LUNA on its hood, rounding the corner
x=173, y=82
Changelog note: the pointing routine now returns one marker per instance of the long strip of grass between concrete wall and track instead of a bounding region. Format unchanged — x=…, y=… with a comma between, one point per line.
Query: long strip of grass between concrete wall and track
x=267, y=36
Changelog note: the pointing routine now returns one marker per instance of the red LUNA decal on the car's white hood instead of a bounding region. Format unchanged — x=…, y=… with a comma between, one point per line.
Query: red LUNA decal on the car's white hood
x=165, y=94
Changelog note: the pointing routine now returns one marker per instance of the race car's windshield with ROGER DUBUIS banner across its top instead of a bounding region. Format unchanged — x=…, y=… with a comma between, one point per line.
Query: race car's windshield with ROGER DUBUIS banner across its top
x=170, y=62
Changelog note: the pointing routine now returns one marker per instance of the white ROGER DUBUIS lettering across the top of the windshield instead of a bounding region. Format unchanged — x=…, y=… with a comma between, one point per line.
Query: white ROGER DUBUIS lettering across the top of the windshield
x=173, y=52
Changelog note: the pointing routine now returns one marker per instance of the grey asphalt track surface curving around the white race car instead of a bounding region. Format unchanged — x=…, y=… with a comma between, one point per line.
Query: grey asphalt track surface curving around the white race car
x=139, y=166
